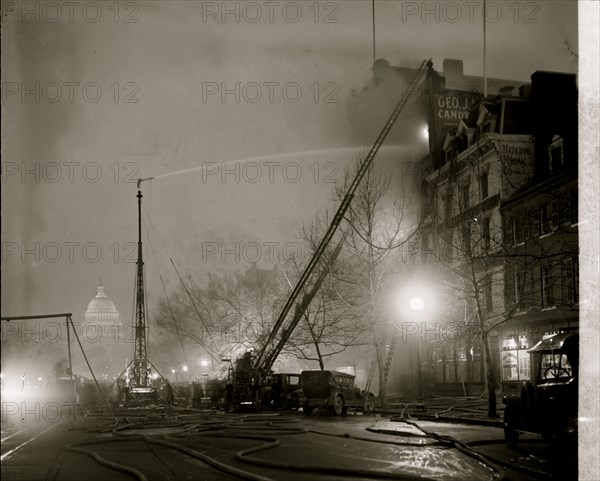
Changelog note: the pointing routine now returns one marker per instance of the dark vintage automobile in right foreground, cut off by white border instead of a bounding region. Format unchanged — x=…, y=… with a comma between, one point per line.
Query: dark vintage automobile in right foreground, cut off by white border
x=547, y=405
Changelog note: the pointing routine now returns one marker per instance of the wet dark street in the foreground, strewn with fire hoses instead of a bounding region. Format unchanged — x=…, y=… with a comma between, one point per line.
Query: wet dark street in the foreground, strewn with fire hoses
x=190, y=444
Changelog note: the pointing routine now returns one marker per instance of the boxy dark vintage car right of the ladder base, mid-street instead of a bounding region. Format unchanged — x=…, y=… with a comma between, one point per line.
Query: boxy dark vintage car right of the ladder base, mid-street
x=333, y=391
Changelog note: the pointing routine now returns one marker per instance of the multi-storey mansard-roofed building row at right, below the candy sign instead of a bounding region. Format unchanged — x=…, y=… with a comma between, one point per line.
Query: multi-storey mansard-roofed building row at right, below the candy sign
x=500, y=228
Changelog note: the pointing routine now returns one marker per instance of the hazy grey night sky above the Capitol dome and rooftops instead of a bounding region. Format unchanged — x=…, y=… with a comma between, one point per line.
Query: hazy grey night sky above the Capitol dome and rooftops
x=141, y=95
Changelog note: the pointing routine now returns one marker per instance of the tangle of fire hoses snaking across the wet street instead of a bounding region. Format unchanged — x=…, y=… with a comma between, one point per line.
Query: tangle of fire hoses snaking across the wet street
x=180, y=426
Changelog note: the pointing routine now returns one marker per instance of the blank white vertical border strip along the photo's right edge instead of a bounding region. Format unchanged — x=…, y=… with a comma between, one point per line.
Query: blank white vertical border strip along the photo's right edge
x=589, y=239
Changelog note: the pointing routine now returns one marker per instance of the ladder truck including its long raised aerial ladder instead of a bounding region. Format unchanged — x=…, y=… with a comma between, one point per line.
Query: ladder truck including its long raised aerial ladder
x=252, y=385
